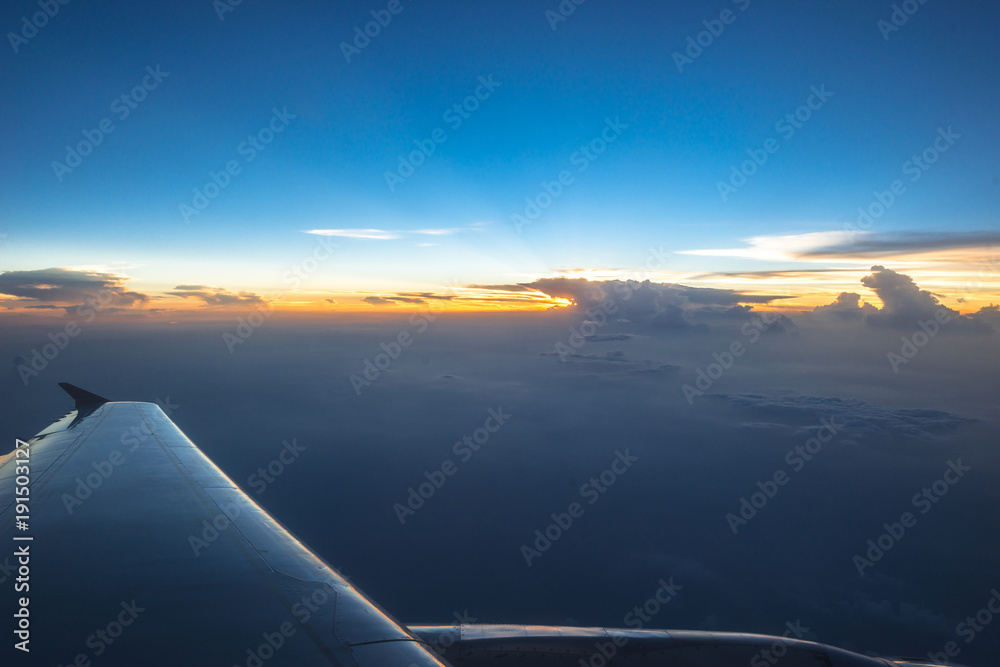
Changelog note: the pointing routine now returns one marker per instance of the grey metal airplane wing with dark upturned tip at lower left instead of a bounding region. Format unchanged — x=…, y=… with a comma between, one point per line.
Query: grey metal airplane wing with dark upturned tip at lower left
x=123, y=544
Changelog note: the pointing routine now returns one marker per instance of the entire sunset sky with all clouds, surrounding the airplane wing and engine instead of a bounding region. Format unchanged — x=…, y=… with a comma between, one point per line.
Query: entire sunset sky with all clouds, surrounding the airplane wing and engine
x=698, y=231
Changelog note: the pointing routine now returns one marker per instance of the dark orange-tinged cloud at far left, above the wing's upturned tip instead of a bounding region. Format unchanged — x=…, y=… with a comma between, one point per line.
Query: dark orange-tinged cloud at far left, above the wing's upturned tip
x=70, y=289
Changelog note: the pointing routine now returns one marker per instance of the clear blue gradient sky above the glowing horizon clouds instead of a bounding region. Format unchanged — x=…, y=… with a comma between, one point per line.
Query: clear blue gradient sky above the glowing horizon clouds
x=656, y=186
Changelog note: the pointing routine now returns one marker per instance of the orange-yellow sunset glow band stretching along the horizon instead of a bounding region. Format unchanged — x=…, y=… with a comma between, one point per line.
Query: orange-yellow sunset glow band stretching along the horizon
x=965, y=288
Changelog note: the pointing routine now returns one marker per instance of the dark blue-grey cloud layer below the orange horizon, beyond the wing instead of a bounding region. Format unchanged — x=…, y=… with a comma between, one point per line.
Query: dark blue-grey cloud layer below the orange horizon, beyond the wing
x=580, y=384
